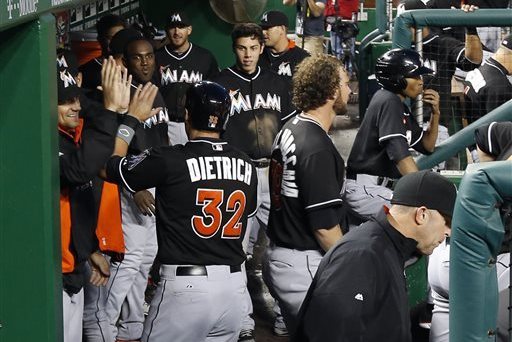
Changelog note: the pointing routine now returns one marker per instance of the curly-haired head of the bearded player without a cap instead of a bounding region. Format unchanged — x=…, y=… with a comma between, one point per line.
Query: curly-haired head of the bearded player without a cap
x=319, y=79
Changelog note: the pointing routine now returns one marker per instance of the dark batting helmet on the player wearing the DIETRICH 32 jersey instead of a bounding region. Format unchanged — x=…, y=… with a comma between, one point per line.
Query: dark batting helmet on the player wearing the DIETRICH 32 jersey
x=208, y=104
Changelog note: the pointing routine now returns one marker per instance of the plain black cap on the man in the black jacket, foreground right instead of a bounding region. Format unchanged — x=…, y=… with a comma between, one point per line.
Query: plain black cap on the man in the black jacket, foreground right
x=426, y=188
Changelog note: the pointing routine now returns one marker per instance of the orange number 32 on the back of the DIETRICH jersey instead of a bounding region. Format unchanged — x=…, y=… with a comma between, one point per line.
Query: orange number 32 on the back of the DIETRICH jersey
x=213, y=208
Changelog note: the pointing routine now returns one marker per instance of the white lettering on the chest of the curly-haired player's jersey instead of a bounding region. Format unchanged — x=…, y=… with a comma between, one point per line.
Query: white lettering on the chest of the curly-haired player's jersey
x=287, y=148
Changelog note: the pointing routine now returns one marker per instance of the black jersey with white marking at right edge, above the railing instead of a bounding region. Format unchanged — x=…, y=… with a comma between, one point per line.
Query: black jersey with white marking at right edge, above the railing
x=488, y=87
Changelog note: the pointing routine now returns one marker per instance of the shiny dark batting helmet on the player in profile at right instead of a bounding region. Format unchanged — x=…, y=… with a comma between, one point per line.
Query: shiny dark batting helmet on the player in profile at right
x=395, y=65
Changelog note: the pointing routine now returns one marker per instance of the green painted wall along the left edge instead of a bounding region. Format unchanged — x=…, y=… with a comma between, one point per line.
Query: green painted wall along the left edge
x=30, y=275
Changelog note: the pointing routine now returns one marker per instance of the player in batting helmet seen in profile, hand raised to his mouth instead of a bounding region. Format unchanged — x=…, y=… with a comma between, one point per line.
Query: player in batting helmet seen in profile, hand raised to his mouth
x=381, y=148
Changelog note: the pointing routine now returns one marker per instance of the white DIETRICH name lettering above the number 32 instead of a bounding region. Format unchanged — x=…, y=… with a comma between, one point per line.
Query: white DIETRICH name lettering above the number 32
x=217, y=167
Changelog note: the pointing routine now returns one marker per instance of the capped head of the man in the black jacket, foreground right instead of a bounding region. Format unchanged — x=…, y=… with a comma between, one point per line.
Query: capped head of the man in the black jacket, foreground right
x=425, y=201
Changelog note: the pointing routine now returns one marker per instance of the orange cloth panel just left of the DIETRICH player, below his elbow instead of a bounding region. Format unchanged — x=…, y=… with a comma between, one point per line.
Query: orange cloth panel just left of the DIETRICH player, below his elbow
x=108, y=229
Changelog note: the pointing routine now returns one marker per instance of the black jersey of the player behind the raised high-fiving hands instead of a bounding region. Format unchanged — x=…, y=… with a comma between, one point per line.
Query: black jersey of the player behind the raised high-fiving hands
x=153, y=132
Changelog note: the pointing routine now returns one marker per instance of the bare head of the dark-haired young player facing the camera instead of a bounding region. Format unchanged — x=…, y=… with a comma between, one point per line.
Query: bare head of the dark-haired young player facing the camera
x=248, y=43
